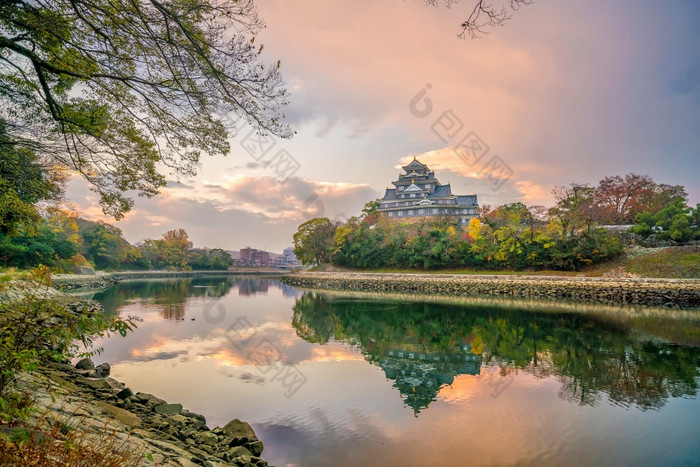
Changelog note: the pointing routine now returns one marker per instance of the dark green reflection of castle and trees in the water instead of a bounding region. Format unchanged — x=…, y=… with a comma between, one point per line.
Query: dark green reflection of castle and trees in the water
x=422, y=346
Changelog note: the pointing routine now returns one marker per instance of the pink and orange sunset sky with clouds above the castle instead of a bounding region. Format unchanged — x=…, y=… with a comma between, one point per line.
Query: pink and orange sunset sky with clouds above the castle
x=567, y=91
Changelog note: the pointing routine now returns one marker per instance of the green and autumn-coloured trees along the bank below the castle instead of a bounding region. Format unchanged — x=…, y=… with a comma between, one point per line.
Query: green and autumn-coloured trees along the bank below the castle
x=567, y=236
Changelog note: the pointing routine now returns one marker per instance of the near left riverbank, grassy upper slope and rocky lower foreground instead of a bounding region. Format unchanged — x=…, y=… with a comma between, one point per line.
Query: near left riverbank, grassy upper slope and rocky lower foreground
x=140, y=427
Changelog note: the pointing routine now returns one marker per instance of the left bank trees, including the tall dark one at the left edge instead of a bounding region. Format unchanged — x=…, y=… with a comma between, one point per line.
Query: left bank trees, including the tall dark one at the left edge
x=34, y=230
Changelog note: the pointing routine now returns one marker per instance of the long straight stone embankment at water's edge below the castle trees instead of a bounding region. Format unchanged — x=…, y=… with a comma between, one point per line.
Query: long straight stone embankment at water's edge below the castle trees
x=684, y=293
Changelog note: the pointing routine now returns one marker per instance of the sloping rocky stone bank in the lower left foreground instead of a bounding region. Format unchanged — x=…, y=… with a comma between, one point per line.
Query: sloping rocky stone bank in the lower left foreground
x=143, y=423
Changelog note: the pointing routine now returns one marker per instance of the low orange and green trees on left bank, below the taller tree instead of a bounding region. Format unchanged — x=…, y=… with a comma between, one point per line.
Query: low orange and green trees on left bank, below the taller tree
x=63, y=241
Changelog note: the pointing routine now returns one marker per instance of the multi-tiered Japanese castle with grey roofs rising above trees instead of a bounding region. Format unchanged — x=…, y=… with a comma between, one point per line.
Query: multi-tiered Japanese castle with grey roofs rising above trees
x=418, y=193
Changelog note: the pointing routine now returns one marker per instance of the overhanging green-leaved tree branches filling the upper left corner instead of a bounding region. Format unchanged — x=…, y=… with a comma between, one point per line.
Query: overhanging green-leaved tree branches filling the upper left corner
x=120, y=91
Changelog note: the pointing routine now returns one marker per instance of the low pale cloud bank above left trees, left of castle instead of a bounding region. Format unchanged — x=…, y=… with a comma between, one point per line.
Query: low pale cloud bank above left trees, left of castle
x=240, y=211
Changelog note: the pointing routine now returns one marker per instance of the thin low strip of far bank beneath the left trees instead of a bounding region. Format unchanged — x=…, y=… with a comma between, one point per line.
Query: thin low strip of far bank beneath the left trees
x=106, y=279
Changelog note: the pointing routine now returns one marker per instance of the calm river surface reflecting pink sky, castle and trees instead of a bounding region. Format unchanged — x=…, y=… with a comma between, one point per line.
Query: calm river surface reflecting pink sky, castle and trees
x=331, y=379
